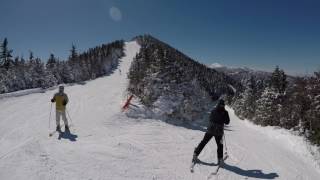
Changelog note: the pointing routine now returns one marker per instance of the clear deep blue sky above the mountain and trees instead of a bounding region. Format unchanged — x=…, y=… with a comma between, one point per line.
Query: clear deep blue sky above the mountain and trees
x=254, y=33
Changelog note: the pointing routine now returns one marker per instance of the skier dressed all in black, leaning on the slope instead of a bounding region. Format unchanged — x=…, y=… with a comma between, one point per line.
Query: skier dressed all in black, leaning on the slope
x=218, y=117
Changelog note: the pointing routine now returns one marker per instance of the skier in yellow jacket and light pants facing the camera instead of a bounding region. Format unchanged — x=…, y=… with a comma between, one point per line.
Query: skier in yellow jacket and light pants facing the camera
x=61, y=100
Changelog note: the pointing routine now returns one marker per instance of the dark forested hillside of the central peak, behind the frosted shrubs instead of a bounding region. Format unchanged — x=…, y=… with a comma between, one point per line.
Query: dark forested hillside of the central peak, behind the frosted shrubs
x=158, y=62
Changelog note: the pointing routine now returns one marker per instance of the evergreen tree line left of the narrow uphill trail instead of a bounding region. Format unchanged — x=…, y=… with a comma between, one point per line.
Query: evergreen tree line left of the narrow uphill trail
x=20, y=73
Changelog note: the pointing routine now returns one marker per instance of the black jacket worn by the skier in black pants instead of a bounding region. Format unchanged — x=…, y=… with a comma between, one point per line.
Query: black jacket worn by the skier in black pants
x=218, y=117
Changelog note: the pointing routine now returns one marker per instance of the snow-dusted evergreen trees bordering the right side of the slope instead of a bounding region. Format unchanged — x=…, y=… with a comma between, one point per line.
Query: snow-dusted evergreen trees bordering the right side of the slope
x=276, y=102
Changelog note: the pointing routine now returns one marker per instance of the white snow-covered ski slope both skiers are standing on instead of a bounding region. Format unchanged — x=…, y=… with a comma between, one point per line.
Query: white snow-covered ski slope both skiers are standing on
x=110, y=145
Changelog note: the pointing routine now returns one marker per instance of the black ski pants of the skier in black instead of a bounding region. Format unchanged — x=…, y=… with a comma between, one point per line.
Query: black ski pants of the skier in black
x=205, y=140
